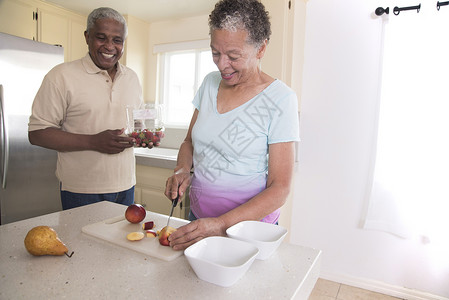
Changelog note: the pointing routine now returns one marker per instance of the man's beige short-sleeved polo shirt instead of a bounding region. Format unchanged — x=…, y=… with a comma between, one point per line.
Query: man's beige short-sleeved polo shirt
x=78, y=97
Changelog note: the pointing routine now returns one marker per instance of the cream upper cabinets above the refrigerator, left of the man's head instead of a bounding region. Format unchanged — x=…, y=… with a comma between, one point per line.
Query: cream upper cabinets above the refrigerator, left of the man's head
x=45, y=23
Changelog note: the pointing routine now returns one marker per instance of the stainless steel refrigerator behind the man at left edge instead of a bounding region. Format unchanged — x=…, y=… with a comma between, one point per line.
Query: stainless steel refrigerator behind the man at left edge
x=29, y=186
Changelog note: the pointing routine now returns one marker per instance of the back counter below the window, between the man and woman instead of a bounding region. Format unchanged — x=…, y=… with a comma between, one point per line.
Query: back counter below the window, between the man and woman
x=156, y=157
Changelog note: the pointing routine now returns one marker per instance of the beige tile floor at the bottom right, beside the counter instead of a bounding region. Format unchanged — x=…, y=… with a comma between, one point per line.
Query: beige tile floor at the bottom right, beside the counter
x=329, y=290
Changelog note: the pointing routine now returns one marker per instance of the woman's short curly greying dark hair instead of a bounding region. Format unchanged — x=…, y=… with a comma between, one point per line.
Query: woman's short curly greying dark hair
x=248, y=15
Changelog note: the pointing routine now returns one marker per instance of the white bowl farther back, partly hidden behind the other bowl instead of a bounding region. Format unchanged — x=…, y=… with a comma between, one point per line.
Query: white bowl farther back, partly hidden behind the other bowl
x=266, y=237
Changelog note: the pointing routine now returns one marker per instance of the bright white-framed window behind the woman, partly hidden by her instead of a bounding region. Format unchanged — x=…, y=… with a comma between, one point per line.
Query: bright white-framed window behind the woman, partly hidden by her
x=182, y=68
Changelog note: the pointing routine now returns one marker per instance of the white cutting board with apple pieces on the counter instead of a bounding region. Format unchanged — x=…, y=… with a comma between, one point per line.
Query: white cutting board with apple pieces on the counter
x=114, y=230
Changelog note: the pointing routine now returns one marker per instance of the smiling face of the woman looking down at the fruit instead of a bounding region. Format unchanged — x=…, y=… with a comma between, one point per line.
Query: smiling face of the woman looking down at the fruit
x=236, y=60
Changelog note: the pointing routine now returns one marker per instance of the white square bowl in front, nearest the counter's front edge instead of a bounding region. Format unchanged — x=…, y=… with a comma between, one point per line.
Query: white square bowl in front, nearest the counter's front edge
x=221, y=260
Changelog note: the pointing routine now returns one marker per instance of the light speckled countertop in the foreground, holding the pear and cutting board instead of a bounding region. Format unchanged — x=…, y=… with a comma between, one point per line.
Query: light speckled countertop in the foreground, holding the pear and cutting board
x=101, y=270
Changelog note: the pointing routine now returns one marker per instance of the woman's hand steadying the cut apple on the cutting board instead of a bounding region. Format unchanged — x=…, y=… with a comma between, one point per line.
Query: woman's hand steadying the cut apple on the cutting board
x=195, y=231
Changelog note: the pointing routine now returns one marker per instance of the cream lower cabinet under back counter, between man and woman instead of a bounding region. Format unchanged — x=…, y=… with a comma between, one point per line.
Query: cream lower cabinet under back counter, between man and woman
x=149, y=191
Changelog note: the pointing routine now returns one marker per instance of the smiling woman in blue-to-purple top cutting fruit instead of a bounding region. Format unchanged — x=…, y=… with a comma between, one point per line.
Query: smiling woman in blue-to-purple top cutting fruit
x=240, y=142
